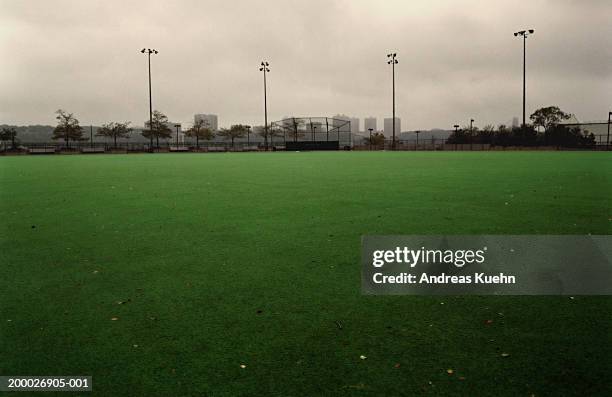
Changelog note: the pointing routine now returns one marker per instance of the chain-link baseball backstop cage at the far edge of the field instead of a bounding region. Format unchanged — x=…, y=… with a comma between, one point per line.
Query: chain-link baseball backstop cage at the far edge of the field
x=312, y=133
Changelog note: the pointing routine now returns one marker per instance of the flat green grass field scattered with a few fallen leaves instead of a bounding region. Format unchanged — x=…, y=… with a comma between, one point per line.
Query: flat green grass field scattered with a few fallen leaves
x=163, y=274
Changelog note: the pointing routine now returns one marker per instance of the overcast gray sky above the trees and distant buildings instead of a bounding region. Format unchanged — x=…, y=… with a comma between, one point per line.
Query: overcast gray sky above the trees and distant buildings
x=457, y=59
